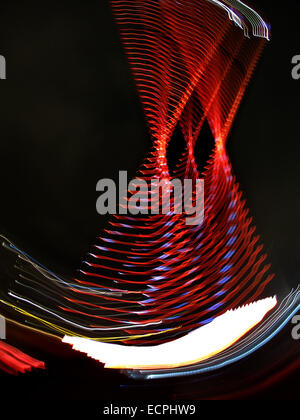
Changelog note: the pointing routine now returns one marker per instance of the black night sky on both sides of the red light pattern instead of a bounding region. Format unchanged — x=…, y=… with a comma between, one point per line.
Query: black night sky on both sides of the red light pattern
x=70, y=116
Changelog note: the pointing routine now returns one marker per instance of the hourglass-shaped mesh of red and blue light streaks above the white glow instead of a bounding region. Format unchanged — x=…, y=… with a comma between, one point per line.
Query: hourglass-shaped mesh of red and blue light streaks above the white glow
x=153, y=278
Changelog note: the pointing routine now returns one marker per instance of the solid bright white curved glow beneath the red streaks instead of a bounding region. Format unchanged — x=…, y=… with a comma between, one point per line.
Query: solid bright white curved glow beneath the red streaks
x=196, y=346
